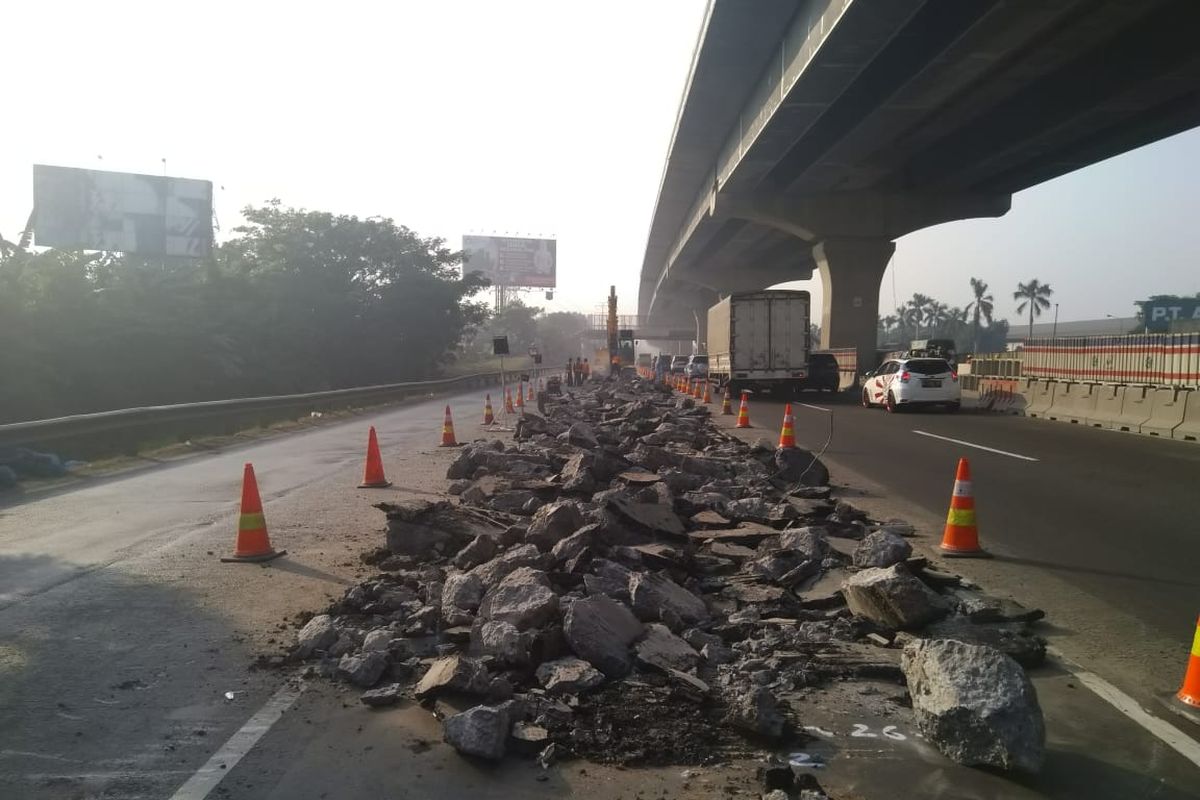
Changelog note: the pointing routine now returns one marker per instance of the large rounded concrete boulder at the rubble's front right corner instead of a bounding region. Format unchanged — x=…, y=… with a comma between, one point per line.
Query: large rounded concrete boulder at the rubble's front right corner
x=975, y=705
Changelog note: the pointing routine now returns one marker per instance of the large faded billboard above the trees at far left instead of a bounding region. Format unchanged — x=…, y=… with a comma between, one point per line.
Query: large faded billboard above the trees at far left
x=143, y=215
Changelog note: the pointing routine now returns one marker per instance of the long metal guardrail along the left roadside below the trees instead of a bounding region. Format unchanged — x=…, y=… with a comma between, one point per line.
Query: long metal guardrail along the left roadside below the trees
x=123, y=423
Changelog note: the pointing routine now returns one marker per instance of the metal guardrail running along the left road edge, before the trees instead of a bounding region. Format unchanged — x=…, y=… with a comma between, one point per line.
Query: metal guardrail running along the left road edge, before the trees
x=118, y=431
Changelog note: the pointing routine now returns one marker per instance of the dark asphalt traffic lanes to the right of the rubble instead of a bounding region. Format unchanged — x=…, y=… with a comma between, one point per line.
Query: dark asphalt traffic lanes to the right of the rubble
x=1100, y=528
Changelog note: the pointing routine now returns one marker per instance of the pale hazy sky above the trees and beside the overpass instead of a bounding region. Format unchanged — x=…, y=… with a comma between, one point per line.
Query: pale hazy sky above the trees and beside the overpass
x=523, y=117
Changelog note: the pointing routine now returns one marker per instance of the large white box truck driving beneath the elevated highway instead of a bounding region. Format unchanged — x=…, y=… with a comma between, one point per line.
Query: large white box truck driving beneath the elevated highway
x=760, y=341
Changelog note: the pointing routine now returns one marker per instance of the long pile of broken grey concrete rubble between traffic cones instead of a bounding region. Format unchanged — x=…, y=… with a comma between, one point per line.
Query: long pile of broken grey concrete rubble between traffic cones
x=625, y=582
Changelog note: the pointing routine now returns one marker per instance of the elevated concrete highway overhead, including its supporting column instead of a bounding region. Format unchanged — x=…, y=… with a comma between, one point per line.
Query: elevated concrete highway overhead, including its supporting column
x=813, y=134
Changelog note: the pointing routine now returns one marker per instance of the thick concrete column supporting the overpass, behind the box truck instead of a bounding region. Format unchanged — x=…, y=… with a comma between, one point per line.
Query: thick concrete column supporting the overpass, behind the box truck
x=851, y=272
